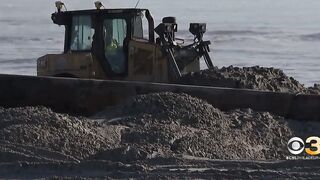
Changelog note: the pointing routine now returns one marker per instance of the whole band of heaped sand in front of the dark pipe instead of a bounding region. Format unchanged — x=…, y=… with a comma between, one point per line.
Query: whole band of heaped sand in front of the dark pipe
x=146, y=128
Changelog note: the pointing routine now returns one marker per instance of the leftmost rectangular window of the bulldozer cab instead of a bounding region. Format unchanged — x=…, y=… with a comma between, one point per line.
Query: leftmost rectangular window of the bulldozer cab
x=81, y=33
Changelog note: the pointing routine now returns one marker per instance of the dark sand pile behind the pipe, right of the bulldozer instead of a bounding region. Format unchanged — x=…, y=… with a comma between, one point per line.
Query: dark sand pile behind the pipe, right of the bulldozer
x=260, y=78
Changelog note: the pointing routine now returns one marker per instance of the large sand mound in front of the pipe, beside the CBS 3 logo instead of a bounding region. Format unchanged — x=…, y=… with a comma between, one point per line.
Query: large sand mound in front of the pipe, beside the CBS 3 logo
x=168, y=124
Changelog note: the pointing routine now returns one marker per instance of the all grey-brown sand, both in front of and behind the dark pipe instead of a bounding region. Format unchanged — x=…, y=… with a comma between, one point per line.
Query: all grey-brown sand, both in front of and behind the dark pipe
x=160, y=135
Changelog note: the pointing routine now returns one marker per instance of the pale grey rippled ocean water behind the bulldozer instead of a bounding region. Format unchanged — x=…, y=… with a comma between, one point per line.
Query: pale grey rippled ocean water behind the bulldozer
x=283, y=34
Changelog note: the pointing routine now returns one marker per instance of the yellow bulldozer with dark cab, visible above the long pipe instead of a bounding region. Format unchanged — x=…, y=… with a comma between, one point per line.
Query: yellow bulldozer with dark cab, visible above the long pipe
x=111, y=44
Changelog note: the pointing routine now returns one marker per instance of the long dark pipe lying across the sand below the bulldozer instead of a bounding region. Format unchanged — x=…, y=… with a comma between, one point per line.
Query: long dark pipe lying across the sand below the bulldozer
x=82, y=96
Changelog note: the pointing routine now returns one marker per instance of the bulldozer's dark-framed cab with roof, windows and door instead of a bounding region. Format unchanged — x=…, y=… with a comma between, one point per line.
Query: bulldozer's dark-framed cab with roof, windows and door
x=105, y=35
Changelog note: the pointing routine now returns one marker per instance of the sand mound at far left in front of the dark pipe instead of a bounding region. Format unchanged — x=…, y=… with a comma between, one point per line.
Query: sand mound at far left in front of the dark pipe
x=58, y=134
